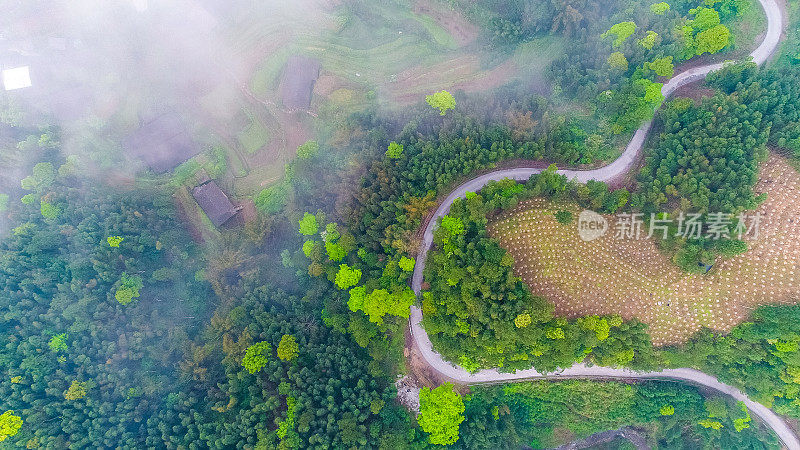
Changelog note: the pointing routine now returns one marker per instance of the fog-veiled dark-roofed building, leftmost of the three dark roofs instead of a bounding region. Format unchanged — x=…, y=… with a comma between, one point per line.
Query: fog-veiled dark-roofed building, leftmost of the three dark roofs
x=162, y=143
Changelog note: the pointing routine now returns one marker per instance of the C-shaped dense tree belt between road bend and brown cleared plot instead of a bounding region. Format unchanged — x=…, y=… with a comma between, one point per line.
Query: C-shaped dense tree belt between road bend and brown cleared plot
x=479, y=314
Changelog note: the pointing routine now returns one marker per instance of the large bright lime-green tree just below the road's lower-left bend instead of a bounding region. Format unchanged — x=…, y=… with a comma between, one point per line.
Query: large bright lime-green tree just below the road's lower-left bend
x=441, y=412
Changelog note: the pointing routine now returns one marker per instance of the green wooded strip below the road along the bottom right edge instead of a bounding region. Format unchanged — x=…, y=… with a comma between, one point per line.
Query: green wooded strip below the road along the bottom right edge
x=671, y=415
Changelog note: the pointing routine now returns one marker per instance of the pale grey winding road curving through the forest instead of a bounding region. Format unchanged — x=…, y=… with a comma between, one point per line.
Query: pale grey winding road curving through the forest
x=610, y=172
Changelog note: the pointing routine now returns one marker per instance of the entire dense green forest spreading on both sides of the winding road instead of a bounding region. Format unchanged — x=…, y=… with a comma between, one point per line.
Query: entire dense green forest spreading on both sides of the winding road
x=120, y=331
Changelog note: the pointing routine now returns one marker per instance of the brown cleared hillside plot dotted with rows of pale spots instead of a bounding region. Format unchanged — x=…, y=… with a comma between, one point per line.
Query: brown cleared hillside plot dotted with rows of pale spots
x=635, y=279
